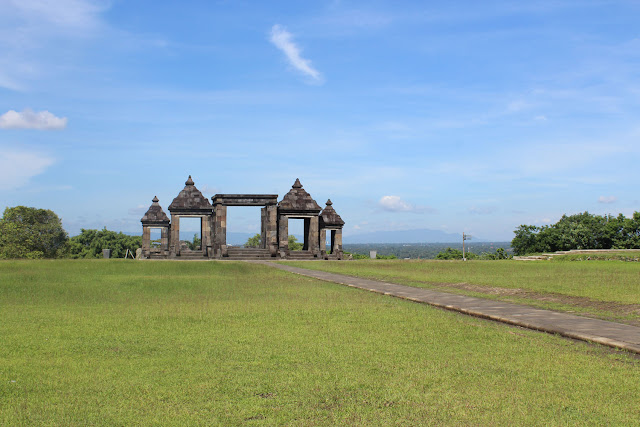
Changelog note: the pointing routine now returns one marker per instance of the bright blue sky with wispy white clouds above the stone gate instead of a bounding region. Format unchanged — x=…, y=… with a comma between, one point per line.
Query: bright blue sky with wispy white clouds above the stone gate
x=449, y=115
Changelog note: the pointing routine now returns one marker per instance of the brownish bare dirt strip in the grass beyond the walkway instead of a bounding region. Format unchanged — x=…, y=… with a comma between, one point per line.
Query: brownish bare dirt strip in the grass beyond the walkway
x=575, y=301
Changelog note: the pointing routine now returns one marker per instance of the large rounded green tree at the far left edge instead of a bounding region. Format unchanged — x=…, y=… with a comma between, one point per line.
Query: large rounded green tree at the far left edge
x=31, y=233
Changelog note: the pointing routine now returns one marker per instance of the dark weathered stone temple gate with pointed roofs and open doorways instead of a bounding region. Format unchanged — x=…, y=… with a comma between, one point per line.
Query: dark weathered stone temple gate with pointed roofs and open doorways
x=274, y=229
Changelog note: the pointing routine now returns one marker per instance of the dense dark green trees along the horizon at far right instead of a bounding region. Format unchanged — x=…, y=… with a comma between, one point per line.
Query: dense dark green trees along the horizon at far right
x=580, y=231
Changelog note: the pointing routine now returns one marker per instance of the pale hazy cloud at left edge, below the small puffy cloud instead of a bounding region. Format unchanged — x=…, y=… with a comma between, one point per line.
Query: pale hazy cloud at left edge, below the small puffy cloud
x=18, y=167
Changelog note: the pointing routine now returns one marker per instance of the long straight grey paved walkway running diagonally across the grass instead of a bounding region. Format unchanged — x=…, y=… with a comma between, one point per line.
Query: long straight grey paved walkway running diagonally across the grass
x=593, y=330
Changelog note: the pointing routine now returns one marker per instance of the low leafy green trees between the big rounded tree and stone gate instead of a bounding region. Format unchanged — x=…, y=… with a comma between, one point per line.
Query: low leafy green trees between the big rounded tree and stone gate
x=90, y=243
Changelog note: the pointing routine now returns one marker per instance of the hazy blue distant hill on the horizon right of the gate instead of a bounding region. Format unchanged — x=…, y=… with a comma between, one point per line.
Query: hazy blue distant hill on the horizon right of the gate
x=423, y=235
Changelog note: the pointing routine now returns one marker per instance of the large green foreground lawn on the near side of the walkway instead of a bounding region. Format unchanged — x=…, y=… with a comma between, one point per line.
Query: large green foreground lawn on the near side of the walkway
x=113, y=342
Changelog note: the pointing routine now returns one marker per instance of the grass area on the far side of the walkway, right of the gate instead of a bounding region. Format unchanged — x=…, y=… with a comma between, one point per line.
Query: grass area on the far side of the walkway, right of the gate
x=603, y=289
